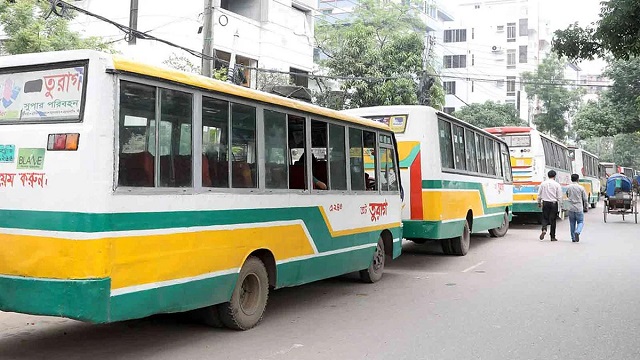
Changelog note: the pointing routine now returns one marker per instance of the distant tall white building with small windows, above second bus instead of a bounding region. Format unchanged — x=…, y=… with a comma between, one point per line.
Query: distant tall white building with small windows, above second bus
x=488, y=48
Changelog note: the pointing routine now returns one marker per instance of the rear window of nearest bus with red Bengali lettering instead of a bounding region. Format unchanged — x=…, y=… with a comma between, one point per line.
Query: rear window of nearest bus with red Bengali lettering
x=52, y=93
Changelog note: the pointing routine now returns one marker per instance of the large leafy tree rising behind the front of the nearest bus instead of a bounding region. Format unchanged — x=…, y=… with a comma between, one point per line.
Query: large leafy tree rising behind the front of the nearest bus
x=381, y=46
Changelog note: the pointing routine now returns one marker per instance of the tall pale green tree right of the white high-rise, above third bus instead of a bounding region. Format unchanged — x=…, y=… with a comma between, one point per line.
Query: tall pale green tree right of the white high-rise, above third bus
x=548, y=85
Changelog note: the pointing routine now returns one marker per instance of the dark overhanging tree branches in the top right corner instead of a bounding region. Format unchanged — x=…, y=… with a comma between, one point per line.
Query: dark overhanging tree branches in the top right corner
x=616, y=33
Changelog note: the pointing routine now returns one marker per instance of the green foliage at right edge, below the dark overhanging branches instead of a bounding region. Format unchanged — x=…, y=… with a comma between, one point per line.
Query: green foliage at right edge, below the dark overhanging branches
x=618, y=109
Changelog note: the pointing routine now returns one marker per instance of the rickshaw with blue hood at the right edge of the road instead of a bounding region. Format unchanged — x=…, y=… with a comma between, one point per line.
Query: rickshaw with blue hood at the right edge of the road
x=620, y=197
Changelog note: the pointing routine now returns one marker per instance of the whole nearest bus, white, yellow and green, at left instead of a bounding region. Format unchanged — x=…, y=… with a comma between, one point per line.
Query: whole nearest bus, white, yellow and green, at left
x=129, y=190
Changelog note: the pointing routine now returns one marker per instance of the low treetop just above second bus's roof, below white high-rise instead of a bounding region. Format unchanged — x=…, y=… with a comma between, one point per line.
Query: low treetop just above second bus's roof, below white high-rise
x=489, y=114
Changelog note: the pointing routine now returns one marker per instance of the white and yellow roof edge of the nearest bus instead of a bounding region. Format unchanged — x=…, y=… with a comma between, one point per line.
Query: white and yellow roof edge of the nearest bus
x=126, y=65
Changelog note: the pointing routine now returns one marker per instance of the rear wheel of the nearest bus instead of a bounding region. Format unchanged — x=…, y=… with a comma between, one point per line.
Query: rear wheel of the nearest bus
x=249, y=297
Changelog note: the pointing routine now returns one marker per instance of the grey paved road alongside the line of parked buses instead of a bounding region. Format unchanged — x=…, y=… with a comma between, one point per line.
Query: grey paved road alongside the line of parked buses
x=510, y=298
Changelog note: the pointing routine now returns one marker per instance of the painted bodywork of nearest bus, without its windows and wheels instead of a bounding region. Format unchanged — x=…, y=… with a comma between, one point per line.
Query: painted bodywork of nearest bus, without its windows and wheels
x=77, y=246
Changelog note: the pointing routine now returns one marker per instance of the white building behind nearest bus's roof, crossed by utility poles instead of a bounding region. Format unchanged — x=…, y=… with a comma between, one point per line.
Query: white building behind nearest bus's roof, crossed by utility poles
x=270, y=34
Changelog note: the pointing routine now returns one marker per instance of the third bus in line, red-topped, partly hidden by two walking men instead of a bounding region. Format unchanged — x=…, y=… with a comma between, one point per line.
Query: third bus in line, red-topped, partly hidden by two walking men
x=533, y=154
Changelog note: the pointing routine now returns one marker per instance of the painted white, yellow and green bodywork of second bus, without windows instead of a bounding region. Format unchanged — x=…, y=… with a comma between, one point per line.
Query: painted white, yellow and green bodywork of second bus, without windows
x=437, y=202
